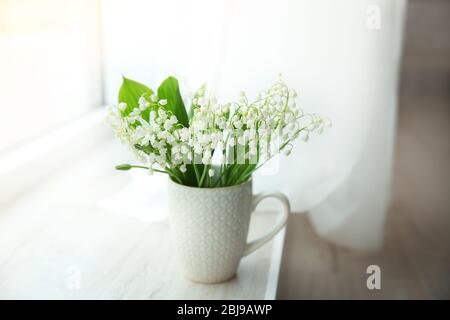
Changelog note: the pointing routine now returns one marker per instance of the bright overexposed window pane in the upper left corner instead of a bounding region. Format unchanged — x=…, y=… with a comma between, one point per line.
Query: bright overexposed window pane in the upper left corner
x=49, y=65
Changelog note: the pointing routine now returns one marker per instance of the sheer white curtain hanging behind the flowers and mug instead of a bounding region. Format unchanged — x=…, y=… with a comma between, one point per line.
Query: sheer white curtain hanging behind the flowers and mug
x=343, y=63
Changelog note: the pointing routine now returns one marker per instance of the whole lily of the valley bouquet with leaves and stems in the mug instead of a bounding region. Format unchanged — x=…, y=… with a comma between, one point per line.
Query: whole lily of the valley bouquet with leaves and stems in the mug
x=209, y=144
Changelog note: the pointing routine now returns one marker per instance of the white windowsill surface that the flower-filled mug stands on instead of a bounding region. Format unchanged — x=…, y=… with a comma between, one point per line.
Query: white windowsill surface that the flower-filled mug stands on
x=61, y=229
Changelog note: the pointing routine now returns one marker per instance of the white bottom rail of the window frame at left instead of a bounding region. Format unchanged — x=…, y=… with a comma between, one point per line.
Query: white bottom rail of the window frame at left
x=28, y=164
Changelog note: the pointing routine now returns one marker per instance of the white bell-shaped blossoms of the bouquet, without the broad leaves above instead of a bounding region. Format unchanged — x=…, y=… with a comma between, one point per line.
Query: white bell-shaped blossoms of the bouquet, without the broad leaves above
x=239, y=132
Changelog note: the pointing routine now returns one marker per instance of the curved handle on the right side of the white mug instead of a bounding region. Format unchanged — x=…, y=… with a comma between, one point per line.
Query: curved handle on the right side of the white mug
x=255, y=244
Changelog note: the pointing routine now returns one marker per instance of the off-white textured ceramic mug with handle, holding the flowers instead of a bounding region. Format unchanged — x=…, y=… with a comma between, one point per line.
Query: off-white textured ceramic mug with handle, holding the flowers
x=210, y=226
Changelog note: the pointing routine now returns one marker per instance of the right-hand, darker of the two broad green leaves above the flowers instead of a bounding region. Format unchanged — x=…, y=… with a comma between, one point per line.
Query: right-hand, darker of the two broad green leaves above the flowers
x=170, y=91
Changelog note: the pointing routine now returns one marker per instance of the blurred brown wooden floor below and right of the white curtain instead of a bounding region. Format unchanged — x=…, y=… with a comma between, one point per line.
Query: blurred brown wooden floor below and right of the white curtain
x=415, y=260
